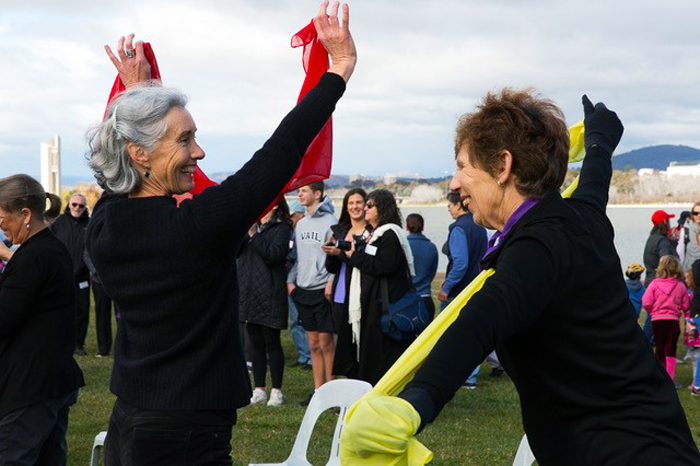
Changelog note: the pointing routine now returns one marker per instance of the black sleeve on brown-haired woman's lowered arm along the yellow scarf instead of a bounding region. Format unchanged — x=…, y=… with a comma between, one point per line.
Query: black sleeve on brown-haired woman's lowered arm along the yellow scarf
x=510, y=301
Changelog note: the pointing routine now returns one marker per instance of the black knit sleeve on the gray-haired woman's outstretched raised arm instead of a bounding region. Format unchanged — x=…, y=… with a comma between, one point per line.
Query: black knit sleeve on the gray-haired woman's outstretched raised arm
x=230, y=208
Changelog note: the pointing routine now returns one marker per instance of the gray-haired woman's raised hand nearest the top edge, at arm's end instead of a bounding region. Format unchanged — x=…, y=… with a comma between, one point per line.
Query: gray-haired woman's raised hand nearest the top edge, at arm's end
x=336, y=39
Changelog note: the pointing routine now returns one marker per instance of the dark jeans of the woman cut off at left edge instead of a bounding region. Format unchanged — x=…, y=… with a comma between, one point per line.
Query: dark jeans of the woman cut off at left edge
x=36, y=434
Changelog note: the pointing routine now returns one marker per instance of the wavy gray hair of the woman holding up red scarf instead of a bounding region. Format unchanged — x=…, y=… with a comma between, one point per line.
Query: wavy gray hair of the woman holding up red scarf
x=136, y=116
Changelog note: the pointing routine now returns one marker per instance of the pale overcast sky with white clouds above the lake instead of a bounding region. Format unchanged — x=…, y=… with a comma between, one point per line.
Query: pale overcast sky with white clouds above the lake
x=421, y=65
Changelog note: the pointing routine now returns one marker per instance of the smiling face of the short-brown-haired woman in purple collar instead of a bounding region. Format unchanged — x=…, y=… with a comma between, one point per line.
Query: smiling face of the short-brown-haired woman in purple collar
x=479, y=190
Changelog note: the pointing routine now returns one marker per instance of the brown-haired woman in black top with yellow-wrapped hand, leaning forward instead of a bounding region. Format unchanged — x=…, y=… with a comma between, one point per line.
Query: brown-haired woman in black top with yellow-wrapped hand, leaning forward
x=556, y=309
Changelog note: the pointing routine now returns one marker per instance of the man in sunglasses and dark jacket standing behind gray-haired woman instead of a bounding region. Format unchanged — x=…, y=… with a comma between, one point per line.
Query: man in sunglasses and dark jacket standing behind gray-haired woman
x=70, y=229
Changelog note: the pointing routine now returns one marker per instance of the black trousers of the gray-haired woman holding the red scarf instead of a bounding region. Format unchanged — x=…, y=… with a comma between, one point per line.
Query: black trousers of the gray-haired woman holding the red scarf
x=138, y=437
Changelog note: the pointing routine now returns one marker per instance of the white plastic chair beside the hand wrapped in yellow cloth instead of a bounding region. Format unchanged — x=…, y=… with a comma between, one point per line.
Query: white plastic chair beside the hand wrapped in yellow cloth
x=334, y=394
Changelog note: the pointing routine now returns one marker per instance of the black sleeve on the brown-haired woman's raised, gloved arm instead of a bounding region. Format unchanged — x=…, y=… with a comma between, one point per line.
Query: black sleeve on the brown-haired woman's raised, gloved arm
x=594, y=181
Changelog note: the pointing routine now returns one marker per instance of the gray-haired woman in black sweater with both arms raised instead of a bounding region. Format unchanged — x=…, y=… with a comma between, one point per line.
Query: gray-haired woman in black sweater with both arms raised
x=179, y=372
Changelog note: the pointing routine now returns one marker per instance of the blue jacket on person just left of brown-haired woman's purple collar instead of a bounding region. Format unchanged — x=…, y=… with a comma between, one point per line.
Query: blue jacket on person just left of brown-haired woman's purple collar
x=465, y=247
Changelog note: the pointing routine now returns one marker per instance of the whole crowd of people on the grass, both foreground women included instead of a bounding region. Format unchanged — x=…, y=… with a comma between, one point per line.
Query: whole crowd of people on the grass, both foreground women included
x=206, y=286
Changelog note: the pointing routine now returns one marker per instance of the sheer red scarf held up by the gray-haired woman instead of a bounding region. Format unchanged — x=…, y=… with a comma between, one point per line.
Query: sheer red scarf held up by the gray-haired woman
x=316, y=164
